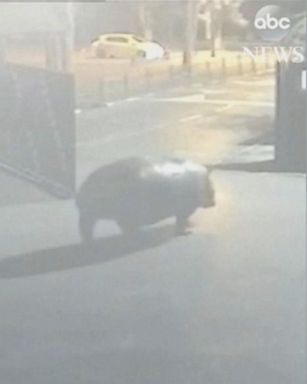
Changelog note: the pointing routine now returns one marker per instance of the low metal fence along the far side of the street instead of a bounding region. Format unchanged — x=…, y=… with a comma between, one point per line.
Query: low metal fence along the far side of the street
x=94, y=88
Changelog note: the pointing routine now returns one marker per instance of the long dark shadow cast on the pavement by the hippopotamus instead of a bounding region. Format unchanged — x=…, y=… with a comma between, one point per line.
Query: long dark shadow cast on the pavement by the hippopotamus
x=80, y=255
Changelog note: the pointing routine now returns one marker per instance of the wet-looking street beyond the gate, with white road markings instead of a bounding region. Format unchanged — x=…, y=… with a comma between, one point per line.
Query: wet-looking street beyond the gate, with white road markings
x=205, y=123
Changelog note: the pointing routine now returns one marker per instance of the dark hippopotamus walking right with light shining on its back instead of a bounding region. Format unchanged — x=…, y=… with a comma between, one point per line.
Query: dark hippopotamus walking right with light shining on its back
x=138, y=192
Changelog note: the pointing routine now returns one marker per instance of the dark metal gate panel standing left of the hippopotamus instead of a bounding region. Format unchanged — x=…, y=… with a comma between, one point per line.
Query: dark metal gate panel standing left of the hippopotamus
x=37, y=127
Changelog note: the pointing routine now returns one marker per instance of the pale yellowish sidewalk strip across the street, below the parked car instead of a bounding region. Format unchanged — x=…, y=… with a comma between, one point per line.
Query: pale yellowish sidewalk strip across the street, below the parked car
x=99, y=81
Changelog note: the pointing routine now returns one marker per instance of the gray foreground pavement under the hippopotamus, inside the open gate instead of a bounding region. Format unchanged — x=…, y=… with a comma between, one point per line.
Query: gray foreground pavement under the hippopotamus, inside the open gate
x=224, y=305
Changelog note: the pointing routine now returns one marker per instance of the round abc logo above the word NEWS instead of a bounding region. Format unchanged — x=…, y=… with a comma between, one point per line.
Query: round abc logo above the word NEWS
x=272, y=23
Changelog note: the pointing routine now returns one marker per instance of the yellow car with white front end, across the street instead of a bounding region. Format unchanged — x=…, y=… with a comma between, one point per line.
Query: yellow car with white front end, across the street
x=126, y=46
